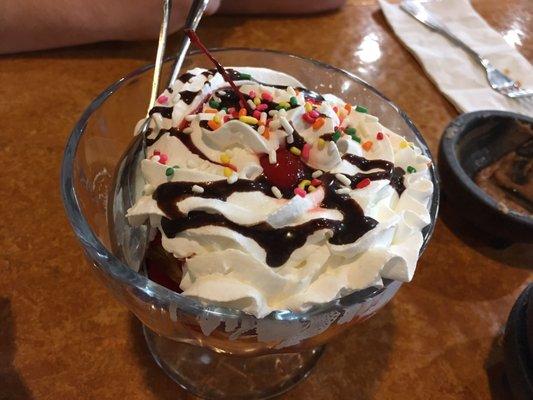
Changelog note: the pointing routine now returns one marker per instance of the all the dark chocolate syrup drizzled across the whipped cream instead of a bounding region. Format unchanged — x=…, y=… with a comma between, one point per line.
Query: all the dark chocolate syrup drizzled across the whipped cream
x=279, y=243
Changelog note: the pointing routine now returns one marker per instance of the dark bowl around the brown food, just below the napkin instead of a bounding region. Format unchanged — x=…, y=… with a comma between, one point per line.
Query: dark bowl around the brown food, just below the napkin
x=471, y=142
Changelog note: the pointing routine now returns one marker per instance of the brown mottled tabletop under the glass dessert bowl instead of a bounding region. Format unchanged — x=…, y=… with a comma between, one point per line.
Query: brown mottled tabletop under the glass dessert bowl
x=63, y=336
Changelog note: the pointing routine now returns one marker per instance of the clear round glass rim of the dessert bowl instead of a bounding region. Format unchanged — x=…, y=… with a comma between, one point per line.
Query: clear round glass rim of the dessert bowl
x=104, y=258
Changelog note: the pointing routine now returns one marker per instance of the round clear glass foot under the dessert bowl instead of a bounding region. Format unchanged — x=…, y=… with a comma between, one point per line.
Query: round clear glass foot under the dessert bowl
x=212, y=375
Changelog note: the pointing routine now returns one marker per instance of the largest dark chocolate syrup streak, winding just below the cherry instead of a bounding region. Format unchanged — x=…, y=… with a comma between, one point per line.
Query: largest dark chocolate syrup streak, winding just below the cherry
x=279, y=243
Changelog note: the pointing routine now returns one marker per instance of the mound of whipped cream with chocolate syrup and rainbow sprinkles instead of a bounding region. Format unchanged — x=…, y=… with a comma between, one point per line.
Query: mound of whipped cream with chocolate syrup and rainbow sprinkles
x=250, y=245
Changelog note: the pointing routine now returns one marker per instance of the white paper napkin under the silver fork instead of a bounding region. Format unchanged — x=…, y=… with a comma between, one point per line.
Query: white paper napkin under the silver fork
x=454, y=72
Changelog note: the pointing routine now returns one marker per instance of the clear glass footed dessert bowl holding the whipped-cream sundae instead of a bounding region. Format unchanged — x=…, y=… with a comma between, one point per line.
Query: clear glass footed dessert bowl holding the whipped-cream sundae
x=210, y=350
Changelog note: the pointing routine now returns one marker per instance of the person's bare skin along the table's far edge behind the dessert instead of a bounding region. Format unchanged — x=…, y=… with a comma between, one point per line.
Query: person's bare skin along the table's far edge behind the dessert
x=27, y=25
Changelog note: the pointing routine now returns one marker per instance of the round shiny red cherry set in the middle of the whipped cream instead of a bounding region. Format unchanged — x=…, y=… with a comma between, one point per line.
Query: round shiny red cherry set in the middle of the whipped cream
x=286, y=173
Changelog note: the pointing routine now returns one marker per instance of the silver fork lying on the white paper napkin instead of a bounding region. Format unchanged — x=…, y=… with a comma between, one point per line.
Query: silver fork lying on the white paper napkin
x=497, y=79
